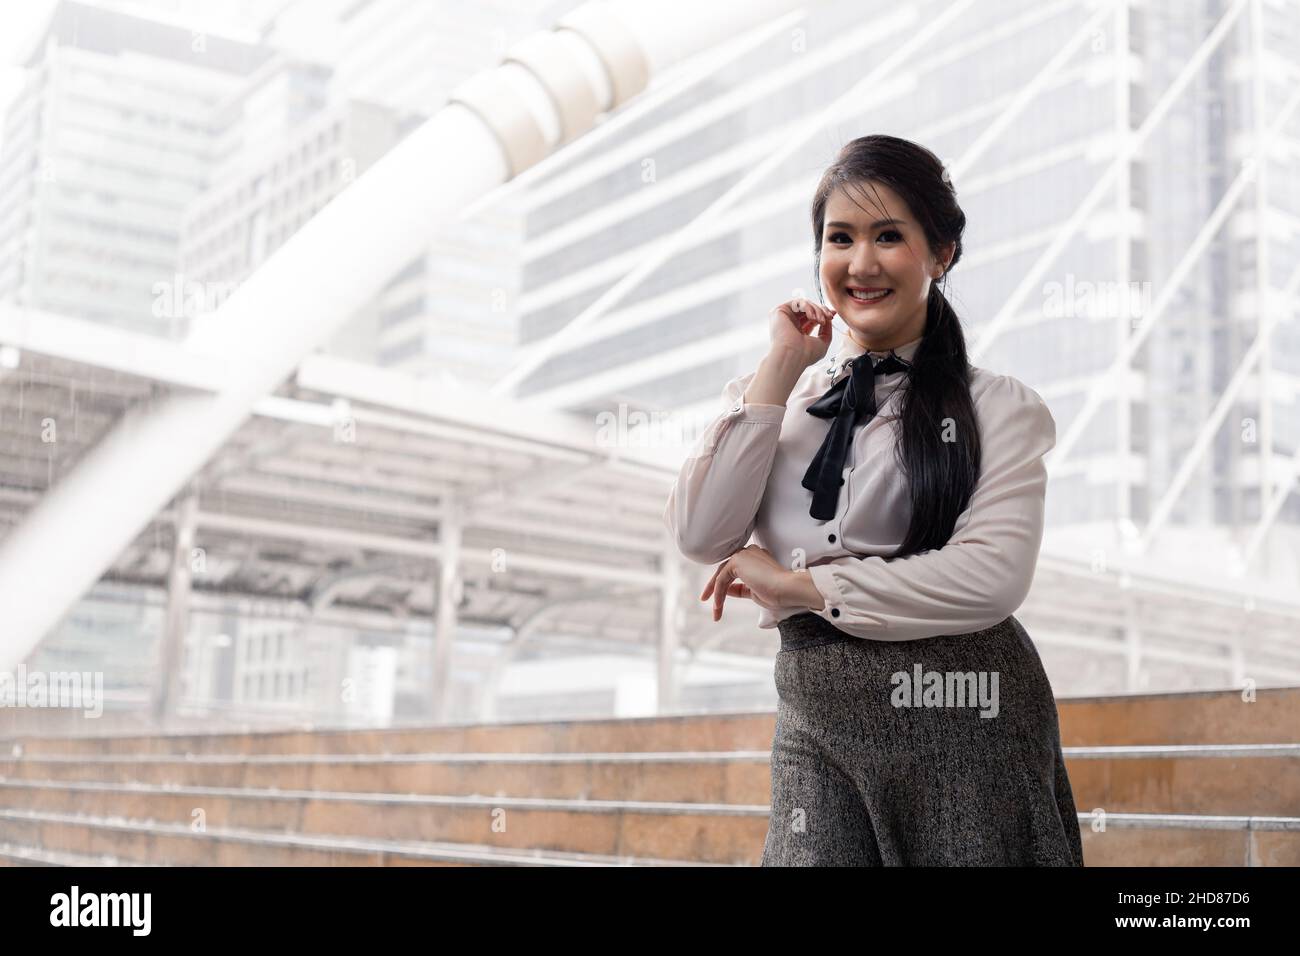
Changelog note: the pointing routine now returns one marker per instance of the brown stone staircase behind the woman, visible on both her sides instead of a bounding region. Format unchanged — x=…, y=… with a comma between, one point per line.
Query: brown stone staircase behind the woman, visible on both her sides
x=1180, y=780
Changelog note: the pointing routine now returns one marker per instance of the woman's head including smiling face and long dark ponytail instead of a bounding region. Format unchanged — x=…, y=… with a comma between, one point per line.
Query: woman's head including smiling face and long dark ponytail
x=905, y=235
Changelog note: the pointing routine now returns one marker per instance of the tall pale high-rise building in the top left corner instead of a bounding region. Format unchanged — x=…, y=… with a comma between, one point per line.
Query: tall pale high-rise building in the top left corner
x=103, y=149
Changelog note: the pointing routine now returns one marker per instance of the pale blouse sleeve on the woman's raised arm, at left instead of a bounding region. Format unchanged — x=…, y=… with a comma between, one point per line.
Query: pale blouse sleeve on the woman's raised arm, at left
x=713, y=507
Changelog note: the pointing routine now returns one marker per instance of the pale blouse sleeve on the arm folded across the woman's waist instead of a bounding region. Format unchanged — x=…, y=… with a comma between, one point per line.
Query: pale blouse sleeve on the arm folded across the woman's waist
x=985, y=572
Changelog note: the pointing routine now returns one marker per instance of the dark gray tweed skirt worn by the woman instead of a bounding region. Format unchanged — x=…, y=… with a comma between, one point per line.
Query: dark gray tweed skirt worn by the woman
x=935, y=752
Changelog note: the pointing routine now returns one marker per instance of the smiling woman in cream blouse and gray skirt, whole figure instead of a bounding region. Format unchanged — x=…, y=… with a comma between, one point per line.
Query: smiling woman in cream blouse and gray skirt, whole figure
x=895, y=496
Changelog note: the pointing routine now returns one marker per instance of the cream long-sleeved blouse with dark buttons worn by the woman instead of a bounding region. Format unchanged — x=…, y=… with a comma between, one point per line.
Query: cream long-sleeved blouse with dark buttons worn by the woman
x=743, y=478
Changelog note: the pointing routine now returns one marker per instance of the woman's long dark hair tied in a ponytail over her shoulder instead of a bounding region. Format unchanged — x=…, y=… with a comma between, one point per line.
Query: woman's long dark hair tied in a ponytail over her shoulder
x=942, y=475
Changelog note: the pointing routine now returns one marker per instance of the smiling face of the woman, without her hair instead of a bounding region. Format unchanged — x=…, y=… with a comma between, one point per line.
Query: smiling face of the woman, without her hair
x=877, y=249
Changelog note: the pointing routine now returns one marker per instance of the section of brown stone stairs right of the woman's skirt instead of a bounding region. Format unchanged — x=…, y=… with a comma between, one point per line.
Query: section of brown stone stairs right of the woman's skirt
x=1186, y=780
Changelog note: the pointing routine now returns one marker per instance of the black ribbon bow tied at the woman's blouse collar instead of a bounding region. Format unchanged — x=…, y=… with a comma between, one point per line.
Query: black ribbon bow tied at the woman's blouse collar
x=848, y=404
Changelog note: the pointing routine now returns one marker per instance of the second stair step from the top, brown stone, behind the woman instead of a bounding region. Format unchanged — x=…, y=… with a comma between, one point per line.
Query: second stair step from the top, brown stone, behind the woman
x=1262, y=780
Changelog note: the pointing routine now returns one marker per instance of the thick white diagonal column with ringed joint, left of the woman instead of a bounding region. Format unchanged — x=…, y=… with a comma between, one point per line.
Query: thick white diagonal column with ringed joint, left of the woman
x=551, y=90
